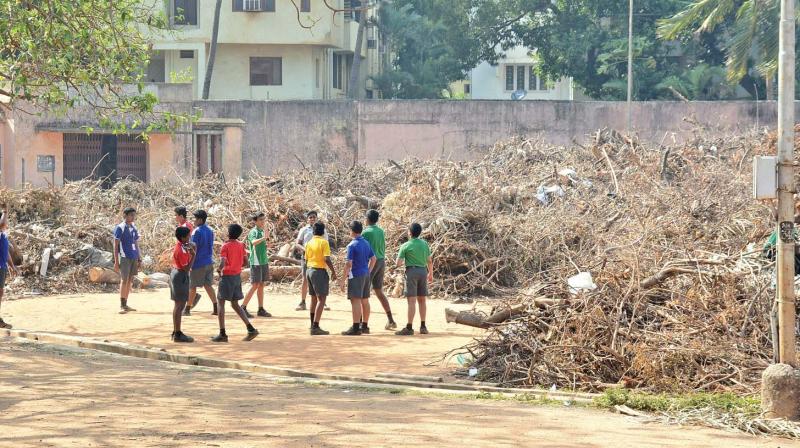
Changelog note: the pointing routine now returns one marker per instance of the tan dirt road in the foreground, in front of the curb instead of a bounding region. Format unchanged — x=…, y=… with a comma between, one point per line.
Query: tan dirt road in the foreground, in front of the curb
x=61, y=397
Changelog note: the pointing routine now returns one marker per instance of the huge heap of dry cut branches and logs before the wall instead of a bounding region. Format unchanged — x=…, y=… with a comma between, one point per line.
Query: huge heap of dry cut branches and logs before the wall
x=626, y=262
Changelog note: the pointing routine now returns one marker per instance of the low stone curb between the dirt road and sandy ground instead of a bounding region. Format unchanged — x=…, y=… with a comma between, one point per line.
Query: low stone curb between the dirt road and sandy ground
x=160, y=354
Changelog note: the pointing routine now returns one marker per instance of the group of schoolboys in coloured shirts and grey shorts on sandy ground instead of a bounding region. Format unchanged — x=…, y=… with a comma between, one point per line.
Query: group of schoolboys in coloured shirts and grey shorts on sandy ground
x=193, y=268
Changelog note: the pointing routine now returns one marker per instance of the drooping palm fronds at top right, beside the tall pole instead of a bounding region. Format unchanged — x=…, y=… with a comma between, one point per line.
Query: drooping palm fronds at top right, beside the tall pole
x=753, y=33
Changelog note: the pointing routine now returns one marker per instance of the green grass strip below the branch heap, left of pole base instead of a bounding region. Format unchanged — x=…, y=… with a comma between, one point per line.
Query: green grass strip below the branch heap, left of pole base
x=722, y=402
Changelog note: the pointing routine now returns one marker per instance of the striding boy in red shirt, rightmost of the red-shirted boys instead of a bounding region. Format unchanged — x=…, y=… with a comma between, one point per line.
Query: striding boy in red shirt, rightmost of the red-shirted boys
x=232, y=258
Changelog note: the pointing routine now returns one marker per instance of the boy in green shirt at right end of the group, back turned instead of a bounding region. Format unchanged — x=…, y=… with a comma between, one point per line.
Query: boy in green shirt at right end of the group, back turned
x=416, y=255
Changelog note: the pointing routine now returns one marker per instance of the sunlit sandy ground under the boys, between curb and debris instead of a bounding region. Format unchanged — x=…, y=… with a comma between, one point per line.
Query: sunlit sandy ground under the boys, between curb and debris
x=284, y=339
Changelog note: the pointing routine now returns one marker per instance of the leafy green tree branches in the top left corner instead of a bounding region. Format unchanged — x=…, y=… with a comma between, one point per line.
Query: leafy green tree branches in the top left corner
x=58, y=54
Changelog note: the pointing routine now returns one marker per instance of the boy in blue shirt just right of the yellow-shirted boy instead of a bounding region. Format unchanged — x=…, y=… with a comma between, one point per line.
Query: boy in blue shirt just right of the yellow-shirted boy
x=360, y=261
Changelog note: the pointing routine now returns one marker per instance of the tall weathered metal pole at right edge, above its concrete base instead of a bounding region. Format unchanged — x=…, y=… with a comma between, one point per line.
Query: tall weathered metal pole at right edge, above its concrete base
x=786, y=187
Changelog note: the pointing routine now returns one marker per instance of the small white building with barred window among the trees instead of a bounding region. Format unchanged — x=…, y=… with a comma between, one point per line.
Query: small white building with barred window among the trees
x=515, y=71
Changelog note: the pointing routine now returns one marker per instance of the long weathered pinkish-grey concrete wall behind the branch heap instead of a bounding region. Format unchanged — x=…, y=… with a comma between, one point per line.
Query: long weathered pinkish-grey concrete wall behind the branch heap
x=282, y=135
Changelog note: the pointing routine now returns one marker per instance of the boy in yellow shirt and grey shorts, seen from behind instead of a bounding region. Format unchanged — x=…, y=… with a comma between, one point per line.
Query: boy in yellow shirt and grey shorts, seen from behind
x=318, y=256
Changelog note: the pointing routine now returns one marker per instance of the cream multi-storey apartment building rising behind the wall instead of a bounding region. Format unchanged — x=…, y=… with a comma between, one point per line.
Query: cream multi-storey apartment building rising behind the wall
x=267, y=49
